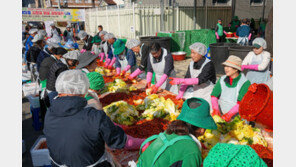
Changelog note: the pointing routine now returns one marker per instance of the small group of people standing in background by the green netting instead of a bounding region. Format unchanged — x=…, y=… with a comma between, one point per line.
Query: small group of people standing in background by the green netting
x=244, y=29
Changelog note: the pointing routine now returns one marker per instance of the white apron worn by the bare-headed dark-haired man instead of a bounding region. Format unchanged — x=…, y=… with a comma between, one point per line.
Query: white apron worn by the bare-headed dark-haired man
x=158, y=68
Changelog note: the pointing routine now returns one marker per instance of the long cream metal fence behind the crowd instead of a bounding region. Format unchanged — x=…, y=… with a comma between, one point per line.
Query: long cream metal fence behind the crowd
x=134, y=21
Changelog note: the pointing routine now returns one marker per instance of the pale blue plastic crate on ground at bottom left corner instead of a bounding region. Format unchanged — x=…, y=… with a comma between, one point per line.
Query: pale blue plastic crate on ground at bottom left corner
x=40, y=157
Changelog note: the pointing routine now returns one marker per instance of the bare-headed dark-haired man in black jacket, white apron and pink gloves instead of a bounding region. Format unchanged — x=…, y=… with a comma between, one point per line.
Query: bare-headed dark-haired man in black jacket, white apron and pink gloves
x=162, y=63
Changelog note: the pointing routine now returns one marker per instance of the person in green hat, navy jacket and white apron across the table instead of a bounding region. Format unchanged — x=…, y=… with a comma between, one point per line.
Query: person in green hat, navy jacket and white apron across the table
x=125, y=59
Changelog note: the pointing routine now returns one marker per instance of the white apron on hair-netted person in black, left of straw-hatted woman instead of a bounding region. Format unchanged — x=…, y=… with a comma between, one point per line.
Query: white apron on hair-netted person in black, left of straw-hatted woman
x=203, y=90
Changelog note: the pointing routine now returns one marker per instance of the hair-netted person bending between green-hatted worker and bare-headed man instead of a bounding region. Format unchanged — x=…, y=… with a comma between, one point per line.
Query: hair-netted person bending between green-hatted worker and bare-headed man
x=141, y=50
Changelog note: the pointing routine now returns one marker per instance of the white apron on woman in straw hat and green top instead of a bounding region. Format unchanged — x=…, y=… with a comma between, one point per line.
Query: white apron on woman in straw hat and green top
x=228, y=97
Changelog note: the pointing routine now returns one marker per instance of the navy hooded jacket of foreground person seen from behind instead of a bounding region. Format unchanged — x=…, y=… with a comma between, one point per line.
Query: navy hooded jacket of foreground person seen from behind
x=76, y=135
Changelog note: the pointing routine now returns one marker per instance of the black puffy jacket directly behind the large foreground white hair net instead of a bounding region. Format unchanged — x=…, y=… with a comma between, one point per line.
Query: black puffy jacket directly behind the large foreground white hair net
x=53, y=73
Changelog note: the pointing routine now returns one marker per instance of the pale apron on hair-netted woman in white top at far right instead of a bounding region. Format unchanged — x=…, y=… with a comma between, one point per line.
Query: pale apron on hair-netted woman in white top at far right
x=258, y=76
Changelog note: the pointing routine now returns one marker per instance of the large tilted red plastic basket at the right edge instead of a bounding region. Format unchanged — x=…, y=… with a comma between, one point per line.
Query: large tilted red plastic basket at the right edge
x=257, y=105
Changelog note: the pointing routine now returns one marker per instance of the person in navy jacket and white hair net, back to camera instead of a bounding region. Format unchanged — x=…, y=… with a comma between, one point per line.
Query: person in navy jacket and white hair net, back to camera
x=76, y=134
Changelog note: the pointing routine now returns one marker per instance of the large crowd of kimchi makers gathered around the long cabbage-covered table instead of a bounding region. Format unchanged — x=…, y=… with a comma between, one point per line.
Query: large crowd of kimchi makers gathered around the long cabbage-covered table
x=77, y=128
